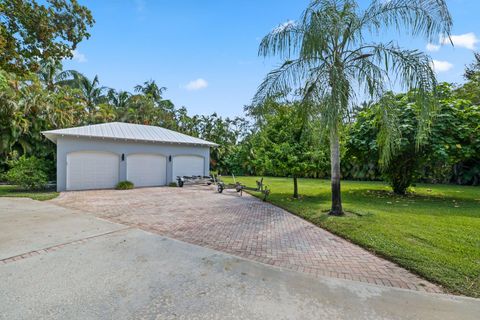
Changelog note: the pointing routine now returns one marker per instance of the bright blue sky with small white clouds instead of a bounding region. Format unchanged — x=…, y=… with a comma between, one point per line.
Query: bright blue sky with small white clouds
x=205, y=52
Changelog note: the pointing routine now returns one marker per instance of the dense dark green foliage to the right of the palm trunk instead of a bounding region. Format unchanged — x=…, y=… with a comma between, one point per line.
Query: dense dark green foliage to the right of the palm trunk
x=450, y=154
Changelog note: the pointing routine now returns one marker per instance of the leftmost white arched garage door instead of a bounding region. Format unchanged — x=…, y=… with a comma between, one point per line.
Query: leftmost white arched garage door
x=92, y=170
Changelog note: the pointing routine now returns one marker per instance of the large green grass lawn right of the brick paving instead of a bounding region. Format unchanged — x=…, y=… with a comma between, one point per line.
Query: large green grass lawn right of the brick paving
x=434, y=231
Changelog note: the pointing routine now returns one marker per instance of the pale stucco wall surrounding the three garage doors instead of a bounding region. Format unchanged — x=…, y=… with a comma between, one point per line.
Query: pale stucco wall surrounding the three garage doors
x=66, y=145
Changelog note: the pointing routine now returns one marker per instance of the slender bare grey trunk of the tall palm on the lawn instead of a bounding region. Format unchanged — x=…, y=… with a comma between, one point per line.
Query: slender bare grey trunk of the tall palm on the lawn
x=335, y=174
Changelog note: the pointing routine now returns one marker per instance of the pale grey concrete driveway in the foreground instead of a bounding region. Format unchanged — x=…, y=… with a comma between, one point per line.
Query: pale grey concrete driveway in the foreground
x=59, y=263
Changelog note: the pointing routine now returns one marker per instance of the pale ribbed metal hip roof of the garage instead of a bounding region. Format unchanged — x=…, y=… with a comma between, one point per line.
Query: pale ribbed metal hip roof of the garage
x=128, y=131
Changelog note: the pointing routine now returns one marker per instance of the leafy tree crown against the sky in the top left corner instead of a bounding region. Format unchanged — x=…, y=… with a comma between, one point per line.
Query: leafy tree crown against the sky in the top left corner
x=31, y=32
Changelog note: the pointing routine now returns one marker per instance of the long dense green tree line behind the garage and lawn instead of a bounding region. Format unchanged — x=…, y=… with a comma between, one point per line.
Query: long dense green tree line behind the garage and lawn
x=273, y=140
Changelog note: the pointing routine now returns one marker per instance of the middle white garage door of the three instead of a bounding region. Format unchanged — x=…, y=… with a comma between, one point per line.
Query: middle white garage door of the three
x=147, y=170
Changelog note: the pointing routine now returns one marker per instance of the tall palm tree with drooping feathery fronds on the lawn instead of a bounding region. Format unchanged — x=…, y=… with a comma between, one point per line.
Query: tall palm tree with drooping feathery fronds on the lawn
x=328, y=59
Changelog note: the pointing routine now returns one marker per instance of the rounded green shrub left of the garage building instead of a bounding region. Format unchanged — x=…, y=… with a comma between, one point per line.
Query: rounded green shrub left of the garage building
x=28, y=173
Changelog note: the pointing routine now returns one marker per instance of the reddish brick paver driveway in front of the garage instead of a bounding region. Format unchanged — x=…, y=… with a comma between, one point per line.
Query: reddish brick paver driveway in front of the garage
x=243, y=226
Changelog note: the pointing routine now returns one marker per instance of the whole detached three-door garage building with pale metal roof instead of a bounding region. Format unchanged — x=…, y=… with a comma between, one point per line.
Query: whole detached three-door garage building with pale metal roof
x=99, y=156
